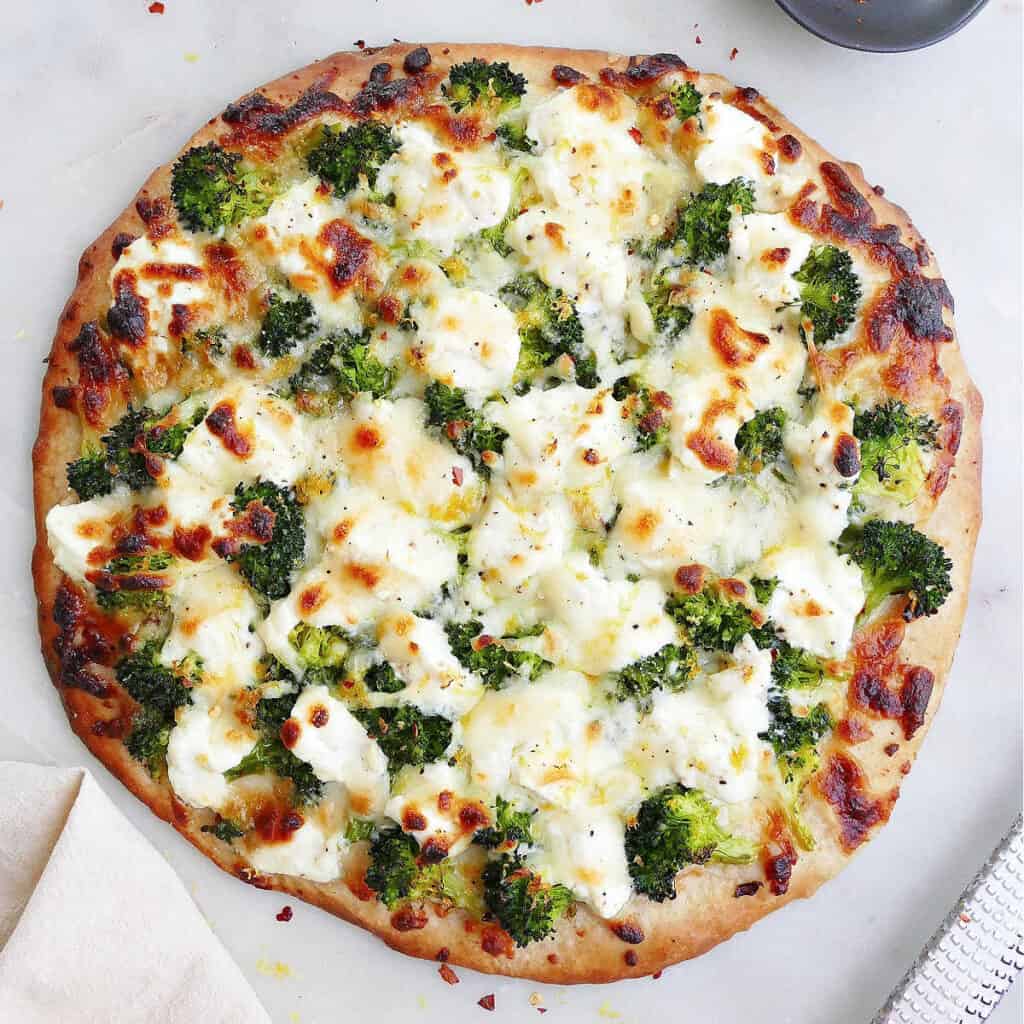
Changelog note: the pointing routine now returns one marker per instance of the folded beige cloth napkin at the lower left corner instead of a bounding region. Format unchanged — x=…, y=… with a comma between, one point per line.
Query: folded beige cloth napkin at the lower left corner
x=95, y=926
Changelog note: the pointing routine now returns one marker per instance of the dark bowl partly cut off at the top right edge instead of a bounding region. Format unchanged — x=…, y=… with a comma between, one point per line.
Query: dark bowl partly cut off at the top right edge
x=883, y=26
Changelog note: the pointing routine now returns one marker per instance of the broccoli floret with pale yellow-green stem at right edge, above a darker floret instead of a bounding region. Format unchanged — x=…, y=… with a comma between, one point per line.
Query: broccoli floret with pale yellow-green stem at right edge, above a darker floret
x=892, y=443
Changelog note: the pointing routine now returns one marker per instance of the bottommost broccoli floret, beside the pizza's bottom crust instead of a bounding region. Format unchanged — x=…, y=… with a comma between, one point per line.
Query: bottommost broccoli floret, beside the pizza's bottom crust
x=524, y=906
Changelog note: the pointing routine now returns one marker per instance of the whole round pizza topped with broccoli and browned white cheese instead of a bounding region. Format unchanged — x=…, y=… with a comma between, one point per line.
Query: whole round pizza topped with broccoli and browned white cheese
x=519, y=500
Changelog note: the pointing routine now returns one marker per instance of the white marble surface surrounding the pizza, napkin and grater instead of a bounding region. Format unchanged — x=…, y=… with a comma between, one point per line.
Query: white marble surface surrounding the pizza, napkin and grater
x=96, y=95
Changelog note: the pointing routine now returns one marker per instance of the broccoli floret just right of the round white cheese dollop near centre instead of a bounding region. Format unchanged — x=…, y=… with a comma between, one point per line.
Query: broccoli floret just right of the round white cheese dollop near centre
x=549, y=327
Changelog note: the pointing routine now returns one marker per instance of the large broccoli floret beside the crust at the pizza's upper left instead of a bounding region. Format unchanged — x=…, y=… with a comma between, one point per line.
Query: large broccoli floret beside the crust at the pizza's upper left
x=211, y=190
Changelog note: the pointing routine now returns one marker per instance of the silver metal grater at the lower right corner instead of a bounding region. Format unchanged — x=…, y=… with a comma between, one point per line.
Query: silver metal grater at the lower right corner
x=977, y=952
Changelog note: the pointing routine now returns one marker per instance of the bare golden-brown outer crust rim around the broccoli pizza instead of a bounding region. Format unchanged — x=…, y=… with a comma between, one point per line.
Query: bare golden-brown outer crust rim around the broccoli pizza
x=585, y=949
